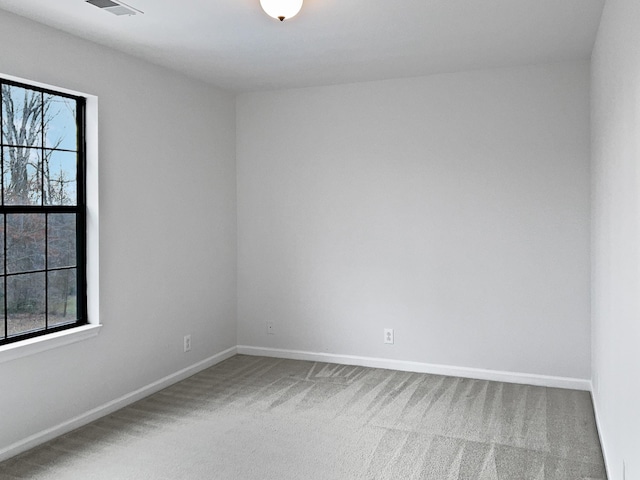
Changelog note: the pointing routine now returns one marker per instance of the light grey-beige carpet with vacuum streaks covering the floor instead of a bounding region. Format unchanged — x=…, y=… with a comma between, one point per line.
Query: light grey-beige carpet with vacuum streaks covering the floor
x=253, y=418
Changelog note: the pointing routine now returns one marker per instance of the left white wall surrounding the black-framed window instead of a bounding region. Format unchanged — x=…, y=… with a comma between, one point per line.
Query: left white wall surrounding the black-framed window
x=167, y=229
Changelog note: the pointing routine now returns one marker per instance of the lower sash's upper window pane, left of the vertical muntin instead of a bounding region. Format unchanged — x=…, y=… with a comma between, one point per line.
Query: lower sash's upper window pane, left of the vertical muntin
x=25, y=242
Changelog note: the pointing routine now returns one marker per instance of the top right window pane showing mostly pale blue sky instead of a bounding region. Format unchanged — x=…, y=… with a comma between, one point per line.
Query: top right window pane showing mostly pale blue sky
x=60, y=122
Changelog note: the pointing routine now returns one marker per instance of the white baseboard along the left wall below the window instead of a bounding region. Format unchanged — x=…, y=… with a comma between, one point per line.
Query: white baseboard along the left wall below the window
x=110, y=407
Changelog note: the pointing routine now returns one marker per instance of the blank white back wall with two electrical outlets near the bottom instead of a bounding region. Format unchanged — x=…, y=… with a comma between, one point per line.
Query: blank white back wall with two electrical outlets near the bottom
x=452, y=208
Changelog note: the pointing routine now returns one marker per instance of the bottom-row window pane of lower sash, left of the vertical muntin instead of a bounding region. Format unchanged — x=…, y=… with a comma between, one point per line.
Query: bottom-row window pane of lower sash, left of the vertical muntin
x=25, y=303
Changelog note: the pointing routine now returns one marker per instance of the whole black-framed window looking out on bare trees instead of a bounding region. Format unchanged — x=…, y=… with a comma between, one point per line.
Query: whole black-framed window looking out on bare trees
x=42, y=212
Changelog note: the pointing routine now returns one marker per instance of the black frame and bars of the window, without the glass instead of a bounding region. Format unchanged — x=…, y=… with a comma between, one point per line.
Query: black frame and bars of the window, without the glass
x=79, y=209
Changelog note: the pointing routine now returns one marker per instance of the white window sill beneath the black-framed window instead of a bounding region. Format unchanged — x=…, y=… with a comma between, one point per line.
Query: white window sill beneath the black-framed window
x=35, y=345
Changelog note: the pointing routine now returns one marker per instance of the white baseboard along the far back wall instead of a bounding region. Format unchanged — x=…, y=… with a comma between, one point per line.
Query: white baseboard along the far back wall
x=419, y=367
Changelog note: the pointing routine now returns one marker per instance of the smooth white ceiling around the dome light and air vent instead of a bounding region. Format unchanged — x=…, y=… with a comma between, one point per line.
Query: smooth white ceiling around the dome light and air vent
x=235, y=45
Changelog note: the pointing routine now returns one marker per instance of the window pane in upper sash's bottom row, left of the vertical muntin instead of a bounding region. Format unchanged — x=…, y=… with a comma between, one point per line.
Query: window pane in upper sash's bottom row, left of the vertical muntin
x=22, y=178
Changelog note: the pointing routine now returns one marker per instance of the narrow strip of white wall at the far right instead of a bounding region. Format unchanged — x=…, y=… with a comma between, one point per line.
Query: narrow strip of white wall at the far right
x=616, y=234
